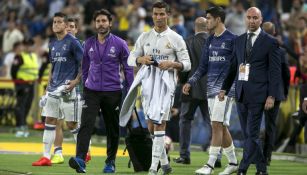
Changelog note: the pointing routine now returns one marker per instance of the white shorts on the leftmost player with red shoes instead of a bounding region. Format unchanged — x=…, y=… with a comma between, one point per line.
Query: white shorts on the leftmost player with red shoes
x=62, y=108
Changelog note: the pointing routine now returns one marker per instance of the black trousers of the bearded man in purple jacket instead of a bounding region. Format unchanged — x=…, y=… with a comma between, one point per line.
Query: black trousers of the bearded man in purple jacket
x=109, y=103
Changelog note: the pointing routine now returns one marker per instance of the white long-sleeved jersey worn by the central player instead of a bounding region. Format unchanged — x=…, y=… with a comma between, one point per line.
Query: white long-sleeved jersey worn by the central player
x=167, y=45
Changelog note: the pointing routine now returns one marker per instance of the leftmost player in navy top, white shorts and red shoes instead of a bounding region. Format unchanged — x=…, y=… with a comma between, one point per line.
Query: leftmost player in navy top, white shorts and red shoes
x=65, y=54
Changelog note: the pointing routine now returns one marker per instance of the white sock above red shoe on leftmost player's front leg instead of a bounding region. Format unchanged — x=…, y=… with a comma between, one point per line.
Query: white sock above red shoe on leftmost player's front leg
x=48, y=139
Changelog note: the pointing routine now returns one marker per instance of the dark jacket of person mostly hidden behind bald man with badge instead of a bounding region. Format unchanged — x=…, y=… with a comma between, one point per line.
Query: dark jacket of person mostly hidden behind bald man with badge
x=285, y=76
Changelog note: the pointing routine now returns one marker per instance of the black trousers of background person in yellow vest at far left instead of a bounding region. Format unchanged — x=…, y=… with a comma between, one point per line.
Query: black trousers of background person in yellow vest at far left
x=24, y=96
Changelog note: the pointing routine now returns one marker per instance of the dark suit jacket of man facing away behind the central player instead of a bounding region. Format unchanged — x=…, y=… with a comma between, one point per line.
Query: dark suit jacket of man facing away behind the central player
x=195, y=45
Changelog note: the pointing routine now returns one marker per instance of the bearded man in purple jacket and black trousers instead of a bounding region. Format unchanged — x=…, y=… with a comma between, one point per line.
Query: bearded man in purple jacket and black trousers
x=104, y=55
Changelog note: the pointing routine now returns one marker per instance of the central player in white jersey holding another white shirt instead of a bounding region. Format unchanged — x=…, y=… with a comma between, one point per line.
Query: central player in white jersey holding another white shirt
x=161, y=52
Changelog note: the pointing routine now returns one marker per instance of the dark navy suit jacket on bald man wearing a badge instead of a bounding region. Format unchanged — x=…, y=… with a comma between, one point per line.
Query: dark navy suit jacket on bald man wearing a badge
x=265, y=73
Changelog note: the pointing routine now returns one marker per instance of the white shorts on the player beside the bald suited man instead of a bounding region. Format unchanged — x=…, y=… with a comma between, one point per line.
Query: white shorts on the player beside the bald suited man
x=220, y=111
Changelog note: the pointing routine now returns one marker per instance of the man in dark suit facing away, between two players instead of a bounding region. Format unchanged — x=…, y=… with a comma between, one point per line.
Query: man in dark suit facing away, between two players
x=198, y=97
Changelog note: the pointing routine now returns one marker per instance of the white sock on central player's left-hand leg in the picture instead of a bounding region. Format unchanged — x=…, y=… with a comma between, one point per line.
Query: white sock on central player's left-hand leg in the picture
x=157, y=149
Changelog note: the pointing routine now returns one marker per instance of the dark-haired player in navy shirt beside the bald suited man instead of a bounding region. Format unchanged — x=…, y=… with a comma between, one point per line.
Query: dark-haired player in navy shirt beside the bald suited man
x=215, y=63
